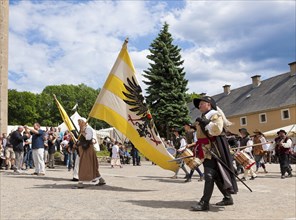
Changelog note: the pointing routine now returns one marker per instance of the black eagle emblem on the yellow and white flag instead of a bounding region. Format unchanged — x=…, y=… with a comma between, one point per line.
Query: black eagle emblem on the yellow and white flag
x=137, y=103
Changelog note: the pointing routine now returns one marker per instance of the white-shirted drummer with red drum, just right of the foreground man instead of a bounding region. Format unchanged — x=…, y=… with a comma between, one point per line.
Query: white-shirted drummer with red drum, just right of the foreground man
x=245, y=140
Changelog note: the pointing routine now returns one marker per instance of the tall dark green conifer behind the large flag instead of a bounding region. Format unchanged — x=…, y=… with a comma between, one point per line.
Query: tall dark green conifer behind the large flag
x=166, y=83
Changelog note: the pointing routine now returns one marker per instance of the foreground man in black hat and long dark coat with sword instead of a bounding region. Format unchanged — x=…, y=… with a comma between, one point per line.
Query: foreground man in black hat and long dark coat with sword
x=213, y=147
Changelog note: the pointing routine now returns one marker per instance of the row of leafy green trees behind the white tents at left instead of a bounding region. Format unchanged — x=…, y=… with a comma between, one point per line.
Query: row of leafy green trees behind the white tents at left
x=28, y=108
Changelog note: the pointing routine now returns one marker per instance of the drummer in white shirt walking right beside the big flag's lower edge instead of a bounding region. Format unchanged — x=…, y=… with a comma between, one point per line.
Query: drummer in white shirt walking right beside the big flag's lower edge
x=180, y=144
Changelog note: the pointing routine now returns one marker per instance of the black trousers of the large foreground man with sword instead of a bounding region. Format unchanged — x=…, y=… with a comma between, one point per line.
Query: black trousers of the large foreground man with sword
x=212, y=175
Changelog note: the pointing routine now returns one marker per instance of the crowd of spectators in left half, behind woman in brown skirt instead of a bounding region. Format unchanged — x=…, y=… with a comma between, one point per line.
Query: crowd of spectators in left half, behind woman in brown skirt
x=21, y=159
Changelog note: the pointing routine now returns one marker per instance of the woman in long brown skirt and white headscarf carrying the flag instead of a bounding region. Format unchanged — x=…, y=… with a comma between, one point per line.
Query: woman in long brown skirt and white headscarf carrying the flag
x=88, y=162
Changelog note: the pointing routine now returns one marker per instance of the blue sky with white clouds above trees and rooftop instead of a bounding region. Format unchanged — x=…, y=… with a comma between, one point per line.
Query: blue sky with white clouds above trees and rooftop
x=222, y=42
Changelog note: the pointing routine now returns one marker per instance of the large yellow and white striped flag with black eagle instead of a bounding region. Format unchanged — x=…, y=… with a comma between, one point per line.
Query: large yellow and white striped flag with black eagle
x=122, y=105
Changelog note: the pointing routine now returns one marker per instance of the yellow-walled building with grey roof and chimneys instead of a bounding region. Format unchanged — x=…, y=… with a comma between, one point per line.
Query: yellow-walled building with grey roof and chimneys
x=263, y=105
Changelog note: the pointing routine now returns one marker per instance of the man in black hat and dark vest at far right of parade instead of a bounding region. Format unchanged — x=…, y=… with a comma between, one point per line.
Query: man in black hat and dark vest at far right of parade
x=283, y=146
